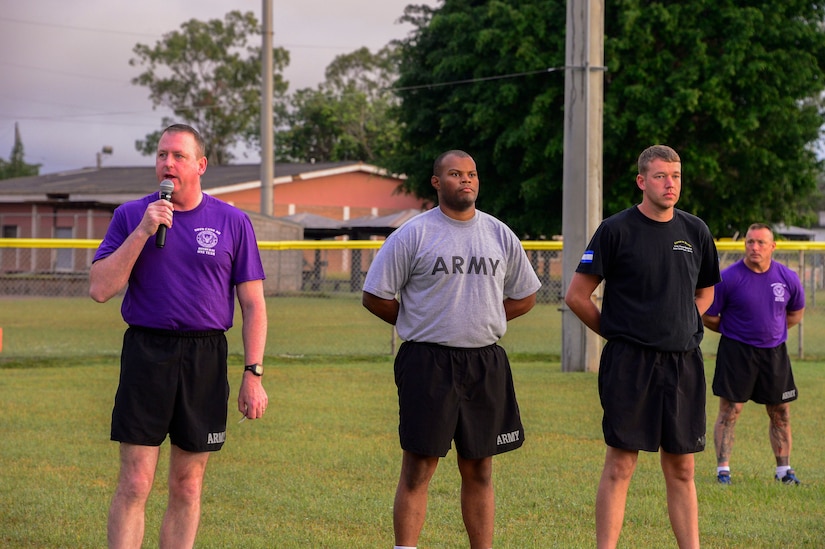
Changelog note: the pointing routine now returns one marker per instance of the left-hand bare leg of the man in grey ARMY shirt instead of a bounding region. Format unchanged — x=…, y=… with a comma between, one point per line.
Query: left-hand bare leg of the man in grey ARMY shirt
x=410, y=506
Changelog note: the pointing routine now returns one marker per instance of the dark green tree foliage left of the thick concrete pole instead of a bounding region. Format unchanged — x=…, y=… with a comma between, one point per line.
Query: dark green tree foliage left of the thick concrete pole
x=474, y=75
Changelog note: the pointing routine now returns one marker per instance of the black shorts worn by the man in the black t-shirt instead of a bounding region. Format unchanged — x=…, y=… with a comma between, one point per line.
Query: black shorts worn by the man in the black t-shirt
x=652, y=399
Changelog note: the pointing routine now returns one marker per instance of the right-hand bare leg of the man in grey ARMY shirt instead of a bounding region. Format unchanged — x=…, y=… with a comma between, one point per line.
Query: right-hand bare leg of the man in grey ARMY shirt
x=478, y=505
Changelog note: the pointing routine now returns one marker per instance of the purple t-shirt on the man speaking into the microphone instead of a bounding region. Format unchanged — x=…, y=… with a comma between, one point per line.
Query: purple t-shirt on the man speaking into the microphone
x=189, y=285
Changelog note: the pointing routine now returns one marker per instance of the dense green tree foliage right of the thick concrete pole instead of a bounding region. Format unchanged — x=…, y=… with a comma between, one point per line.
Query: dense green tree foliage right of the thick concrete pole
x=732, y=87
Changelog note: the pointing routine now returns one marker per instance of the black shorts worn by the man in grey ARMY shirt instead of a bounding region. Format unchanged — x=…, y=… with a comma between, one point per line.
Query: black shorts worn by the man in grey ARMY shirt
x=449, y=393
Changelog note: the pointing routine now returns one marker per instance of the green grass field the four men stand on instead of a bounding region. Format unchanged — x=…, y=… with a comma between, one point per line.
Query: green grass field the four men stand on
x=320, y=469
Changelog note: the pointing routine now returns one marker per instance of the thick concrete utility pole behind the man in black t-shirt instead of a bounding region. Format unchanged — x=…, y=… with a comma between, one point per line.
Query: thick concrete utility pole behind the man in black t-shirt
x=582, y=200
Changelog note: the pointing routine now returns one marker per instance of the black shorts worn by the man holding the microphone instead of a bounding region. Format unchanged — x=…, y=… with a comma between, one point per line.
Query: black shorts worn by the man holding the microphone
x=172, y=383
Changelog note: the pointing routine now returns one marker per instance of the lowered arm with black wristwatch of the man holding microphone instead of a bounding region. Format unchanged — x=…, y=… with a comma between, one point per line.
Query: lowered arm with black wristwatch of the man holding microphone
x=252, y=398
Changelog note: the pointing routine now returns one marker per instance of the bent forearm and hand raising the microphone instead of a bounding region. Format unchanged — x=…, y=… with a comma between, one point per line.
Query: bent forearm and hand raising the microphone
x=108, y=276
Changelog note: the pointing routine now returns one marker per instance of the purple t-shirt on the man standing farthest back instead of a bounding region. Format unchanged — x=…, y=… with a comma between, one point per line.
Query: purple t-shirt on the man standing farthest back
x=753, y=306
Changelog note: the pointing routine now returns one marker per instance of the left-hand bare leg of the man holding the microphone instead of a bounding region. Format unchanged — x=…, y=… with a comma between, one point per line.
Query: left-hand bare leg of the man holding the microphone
x=126, y=513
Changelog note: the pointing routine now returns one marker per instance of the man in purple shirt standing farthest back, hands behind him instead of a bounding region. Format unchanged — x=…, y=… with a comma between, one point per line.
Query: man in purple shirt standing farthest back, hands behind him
x=754, y=305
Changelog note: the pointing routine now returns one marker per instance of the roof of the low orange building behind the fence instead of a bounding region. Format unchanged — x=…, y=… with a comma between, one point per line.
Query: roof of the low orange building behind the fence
x=116, y=185
